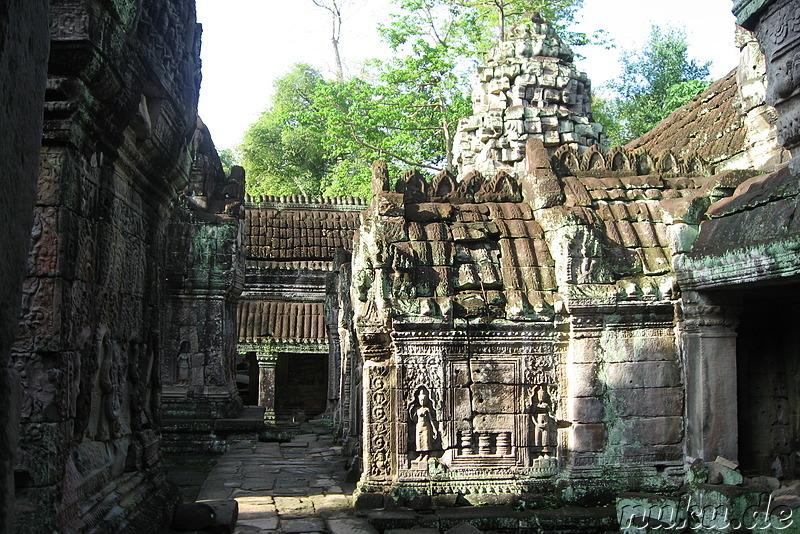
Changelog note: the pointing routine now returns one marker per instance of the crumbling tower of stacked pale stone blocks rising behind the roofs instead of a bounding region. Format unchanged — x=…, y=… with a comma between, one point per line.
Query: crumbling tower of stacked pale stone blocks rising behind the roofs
x=529, y=88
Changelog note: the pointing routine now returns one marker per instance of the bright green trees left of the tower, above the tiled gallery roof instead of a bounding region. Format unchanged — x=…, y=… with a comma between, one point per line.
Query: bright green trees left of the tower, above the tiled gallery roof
x=320, y=137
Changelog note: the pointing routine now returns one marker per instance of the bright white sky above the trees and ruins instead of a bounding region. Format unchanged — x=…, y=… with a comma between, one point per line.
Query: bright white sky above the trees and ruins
x=247, y=44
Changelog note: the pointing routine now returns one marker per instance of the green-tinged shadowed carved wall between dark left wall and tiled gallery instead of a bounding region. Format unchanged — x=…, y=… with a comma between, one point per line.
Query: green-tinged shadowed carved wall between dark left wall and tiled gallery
x=205, y=276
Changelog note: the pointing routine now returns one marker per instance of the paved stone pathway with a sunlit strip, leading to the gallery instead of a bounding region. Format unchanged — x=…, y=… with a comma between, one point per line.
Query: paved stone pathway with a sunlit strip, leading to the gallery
x=292, y=487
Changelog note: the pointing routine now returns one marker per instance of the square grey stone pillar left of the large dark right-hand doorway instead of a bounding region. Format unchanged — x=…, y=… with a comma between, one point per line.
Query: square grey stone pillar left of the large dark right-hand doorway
x=708, y=343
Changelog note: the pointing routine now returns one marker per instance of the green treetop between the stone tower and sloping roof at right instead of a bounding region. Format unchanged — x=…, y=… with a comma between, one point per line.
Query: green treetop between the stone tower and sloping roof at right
x=654, y=83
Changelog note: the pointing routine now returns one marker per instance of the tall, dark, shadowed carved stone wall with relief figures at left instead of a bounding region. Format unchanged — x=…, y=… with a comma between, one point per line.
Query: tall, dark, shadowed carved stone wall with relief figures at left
x=118, y=119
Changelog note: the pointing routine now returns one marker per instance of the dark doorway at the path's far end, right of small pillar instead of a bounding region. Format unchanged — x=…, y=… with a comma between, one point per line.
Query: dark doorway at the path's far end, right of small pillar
x=301, y=385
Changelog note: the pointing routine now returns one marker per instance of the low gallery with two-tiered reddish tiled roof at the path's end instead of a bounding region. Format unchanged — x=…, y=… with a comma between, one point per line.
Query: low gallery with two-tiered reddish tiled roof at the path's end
x=289, y=351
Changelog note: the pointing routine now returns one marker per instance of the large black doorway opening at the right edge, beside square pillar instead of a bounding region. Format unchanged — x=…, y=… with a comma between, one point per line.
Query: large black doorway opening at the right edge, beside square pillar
x=768, y=371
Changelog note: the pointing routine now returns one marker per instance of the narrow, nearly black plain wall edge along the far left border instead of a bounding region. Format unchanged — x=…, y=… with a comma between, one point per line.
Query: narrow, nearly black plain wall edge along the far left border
x=25, y=41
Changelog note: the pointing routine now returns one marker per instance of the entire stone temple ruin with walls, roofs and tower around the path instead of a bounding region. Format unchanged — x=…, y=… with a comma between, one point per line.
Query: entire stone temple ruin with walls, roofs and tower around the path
x=557, y=324
